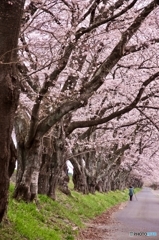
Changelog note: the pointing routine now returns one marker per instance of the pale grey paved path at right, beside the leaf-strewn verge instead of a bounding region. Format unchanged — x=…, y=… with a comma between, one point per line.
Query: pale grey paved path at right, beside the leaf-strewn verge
x=139, y=216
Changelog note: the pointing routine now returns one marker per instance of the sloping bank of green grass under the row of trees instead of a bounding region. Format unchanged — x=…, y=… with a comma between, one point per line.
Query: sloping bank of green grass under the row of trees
x=55, y=220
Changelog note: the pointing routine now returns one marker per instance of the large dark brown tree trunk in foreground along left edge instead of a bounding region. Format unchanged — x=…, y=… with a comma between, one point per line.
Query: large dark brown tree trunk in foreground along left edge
x=10, y=17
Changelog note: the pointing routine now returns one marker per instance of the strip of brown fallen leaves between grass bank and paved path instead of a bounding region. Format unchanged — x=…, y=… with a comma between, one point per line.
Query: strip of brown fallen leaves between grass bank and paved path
x=101, y=226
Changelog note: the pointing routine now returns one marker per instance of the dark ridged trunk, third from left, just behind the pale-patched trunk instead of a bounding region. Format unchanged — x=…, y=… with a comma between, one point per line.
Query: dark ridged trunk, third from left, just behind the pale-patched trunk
x=53, y=171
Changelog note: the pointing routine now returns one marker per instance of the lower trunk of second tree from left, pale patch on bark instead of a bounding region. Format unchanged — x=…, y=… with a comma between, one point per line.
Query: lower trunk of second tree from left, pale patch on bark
x=28, y=172
